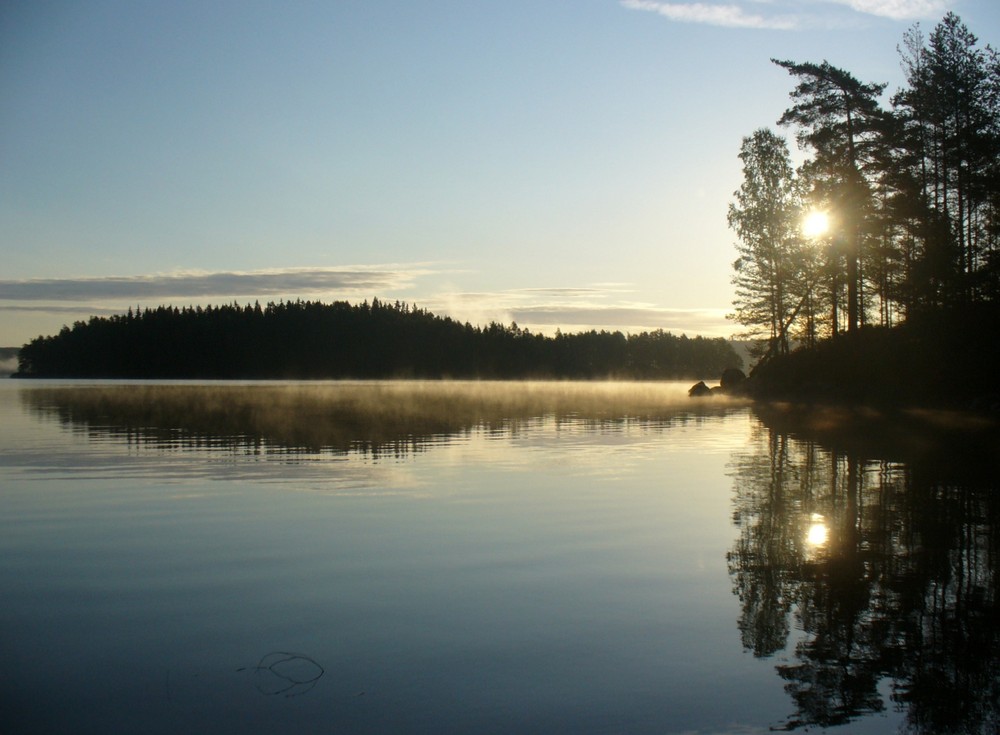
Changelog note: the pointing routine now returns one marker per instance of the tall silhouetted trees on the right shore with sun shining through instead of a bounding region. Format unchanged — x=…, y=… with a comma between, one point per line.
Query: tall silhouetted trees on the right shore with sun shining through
x=892, y=223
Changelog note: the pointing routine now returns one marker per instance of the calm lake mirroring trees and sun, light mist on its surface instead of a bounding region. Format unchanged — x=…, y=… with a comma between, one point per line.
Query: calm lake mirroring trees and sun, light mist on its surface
x=459, y=557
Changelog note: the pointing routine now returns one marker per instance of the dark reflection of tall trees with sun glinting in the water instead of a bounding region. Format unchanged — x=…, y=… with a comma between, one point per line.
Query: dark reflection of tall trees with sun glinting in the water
x=903, y=587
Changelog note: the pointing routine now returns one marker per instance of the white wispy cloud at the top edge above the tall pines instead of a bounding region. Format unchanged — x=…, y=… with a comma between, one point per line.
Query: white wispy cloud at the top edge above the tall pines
x=787, y=14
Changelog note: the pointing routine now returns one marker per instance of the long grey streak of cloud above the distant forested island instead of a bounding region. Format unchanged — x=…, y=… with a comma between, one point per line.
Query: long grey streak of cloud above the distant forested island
x=220, y=284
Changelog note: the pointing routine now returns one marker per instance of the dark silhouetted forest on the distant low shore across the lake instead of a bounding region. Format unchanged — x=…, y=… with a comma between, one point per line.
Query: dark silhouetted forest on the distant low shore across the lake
x=312, y=340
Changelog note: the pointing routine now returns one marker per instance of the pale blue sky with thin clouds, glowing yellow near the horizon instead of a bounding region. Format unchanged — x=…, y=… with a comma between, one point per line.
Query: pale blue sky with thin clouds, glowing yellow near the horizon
x=555, y=163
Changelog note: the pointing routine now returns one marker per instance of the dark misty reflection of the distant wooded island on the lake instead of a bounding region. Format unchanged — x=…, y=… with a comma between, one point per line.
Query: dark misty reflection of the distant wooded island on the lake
x=375, y=419
